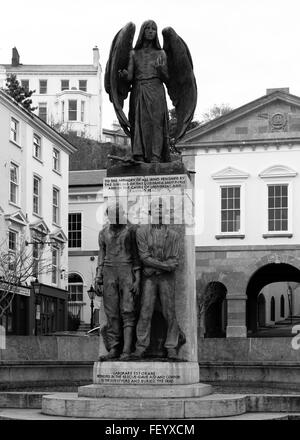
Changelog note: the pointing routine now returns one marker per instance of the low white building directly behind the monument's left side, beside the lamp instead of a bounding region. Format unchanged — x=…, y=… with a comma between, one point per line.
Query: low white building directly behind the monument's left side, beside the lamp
x=85, y=221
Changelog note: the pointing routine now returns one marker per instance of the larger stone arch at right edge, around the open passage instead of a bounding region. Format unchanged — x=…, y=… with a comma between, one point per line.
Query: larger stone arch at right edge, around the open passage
x=276, y=268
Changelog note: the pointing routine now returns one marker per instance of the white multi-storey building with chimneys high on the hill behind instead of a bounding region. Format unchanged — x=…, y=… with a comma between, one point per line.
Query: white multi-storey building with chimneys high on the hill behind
x=68, y=97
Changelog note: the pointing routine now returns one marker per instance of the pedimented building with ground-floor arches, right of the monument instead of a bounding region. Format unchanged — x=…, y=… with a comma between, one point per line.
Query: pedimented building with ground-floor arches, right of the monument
x=247, y=213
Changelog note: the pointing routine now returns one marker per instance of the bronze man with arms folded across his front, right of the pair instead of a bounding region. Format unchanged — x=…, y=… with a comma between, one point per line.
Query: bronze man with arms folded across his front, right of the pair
x=158, y=247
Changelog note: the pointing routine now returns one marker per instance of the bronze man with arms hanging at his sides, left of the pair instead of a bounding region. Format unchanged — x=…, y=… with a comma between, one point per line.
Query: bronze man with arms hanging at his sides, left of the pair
x=119, y=272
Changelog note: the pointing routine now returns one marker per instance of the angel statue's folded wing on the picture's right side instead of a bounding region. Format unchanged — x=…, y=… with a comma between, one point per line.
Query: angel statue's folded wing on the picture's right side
x=181, y=85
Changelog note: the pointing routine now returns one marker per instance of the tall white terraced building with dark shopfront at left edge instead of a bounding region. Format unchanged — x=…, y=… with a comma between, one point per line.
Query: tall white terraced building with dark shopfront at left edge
x=34, y=161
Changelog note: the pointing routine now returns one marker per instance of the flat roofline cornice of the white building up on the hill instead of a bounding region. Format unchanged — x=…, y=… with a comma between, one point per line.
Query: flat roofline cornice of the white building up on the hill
x=48, y=68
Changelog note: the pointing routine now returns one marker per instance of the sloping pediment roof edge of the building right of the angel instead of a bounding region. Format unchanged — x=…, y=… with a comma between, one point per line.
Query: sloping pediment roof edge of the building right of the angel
x=195, y=134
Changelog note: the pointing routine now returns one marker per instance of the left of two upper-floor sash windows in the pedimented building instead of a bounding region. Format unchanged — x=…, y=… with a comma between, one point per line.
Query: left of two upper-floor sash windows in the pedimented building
x=230, y=208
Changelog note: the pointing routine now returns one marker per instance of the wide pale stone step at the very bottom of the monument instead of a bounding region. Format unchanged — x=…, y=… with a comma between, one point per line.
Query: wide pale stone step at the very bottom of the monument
x=214, y=405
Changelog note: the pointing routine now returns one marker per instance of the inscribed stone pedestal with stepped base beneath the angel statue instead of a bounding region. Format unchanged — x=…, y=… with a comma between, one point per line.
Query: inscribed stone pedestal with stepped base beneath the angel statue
x=151, y=388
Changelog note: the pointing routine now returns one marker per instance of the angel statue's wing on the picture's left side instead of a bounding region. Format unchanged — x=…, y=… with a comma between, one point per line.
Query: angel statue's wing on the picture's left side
x=116, y=87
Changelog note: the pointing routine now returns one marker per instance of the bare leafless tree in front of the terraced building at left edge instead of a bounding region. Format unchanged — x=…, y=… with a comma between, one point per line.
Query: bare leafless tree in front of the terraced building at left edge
x=17, y=268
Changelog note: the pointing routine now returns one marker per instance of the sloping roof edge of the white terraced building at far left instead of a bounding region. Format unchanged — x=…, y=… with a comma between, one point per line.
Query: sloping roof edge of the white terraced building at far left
x=5, y=97
